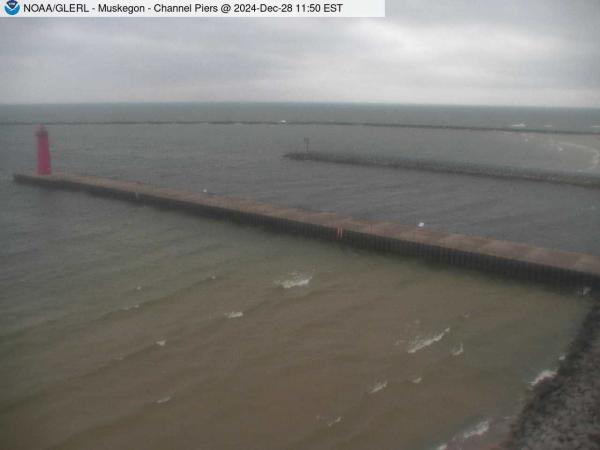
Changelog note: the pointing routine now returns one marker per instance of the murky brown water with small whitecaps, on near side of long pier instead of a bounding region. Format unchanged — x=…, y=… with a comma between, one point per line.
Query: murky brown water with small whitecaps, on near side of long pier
x=130, y=327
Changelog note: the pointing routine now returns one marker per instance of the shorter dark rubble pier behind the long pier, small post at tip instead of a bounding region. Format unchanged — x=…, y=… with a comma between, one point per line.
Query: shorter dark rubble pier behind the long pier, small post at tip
x=481, y=170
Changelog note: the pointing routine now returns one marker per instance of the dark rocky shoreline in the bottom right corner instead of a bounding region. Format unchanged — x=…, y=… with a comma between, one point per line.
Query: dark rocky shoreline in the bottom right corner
x=564, y=411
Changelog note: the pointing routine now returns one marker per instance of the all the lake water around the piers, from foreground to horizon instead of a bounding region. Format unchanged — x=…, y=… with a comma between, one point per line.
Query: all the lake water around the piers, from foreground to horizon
x=124, y=326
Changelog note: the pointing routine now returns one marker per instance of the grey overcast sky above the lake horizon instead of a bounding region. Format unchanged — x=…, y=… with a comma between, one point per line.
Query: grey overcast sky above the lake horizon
x=521, y=52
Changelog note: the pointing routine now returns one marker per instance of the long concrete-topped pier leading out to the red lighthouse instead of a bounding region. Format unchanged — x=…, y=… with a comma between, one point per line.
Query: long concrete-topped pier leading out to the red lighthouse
x=508, y=258
